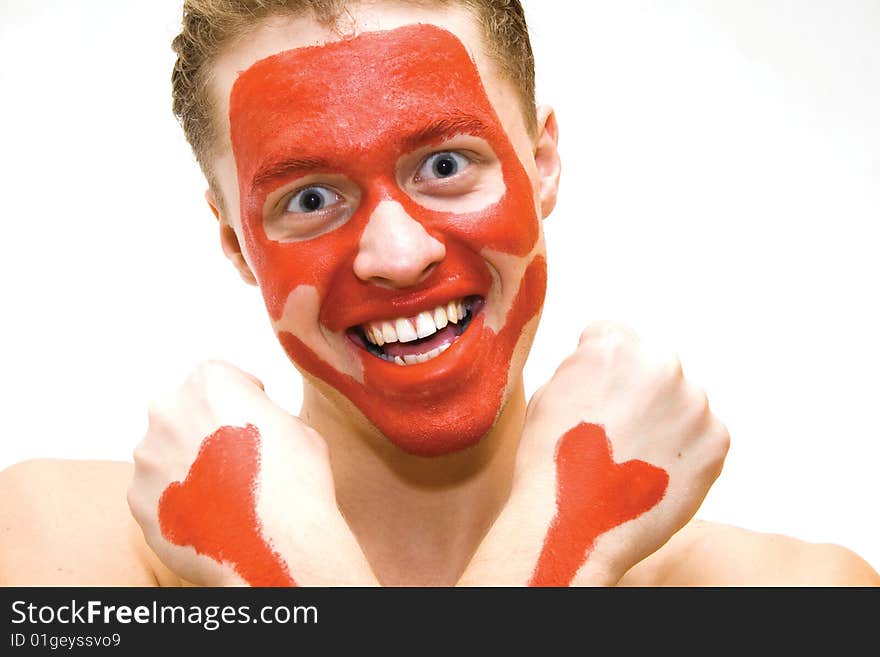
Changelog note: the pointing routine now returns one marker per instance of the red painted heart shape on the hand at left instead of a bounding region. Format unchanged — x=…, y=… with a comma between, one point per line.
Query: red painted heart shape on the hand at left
x=214, y=508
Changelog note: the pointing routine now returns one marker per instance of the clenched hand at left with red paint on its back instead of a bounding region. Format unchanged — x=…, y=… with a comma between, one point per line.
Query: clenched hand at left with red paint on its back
x=230, y=489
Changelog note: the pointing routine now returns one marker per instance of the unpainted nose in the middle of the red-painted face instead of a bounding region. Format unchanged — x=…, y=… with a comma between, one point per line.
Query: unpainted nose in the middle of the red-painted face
x=395, y=250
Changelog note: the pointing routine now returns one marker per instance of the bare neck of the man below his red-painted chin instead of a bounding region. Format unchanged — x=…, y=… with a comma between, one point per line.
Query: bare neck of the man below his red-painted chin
x=417, y=519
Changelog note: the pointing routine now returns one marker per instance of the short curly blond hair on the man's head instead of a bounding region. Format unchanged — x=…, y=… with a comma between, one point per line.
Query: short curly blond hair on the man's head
x=208, y=26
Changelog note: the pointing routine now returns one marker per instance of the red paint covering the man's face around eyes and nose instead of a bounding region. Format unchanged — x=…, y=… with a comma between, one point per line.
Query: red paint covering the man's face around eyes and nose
x=358, y=106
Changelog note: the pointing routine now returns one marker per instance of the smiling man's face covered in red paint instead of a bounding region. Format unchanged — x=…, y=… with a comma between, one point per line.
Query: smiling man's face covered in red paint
x=391, y=225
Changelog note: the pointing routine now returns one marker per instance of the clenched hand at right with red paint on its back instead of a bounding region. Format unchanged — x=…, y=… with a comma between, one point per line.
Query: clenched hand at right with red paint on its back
x=618, y=451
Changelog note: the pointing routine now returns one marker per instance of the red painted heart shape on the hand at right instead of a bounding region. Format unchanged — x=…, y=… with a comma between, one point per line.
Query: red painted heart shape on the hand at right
x=593, y=495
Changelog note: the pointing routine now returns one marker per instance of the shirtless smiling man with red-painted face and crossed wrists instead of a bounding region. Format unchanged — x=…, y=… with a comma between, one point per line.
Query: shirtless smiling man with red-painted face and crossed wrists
x=380, y=170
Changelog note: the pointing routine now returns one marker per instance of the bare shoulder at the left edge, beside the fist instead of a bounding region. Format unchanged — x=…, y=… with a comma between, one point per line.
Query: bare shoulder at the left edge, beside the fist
x=67, y=523
